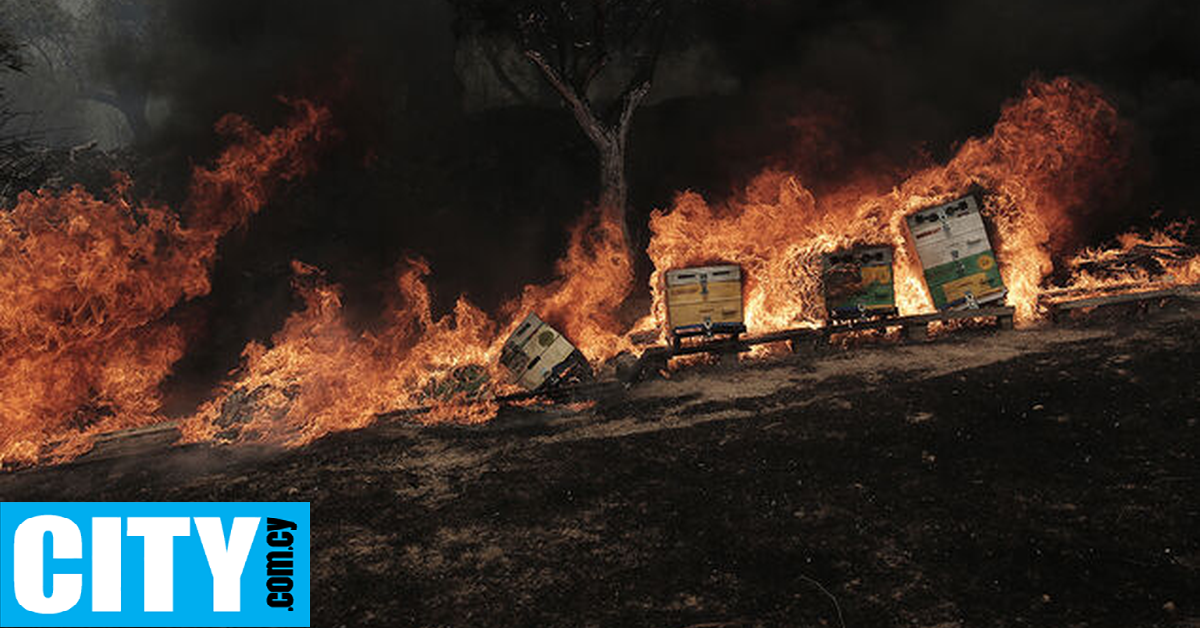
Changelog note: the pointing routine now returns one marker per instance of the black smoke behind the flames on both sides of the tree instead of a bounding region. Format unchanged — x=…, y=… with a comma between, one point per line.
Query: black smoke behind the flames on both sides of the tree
x=830, y=89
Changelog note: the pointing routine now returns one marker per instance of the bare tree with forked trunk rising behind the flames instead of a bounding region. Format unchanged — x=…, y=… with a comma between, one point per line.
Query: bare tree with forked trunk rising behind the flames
x=599, y=57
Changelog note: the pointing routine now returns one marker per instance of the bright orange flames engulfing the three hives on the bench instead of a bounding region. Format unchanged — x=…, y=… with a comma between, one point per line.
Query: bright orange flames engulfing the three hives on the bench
x=1047, y=155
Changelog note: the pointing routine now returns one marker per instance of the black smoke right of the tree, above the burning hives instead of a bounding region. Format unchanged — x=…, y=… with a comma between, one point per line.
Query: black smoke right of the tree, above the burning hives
x=885, y=85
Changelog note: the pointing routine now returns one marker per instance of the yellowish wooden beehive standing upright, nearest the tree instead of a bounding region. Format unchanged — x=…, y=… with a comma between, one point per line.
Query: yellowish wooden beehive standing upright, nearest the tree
x=705, y=301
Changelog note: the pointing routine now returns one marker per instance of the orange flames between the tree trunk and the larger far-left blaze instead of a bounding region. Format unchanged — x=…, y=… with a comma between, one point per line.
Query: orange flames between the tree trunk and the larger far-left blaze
x=319, y=376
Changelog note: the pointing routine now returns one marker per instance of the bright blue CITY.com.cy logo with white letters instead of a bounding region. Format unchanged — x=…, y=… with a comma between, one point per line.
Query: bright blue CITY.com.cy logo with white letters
x=201, y=564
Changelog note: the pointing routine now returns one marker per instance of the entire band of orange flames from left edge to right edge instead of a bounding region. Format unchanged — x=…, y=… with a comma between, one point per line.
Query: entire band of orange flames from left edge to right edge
x=88, y=283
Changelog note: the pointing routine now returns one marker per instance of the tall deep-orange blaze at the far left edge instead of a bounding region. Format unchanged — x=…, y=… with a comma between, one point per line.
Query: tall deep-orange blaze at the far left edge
x=86, y=285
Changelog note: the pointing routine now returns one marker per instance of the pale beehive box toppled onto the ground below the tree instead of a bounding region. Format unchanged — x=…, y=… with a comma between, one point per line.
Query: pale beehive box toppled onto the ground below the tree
x=538, y=357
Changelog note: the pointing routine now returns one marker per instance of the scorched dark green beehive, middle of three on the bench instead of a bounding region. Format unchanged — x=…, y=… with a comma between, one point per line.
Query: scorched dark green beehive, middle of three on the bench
x=859, y=283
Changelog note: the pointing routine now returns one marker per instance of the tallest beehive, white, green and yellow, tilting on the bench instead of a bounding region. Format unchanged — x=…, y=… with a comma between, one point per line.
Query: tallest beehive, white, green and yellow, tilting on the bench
x=956, y=255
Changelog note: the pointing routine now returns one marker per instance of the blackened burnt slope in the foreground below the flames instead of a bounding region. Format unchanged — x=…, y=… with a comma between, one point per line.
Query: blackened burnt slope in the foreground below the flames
x=991, y=479
